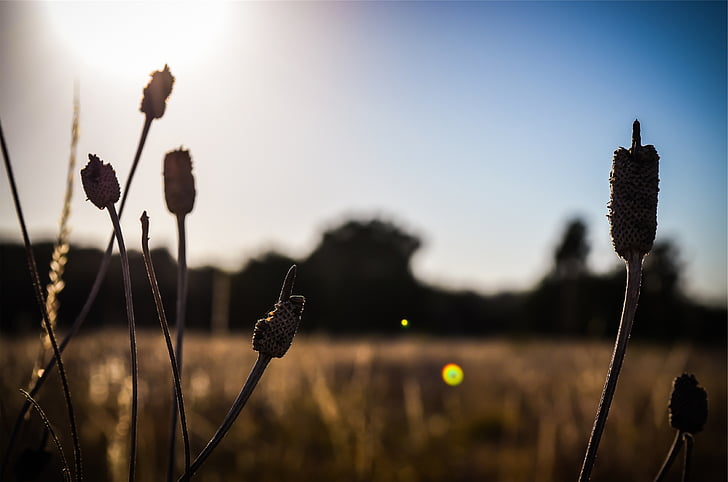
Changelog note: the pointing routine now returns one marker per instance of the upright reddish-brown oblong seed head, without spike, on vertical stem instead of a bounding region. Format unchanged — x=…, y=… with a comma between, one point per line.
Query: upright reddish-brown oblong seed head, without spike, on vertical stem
x=179, y=183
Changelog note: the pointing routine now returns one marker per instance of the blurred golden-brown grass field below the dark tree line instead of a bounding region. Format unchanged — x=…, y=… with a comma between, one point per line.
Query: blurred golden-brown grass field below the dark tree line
x=377, y=409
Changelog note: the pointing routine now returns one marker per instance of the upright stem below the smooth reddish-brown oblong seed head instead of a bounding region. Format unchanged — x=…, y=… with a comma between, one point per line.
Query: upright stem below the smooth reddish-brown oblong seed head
x=180, y=327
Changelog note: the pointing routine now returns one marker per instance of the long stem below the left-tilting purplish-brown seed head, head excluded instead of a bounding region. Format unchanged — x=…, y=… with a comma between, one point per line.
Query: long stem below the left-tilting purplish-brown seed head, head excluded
x=132, y=337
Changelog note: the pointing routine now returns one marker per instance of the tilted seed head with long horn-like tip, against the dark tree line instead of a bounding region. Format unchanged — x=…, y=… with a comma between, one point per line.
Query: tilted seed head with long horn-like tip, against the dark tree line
x=273, y=335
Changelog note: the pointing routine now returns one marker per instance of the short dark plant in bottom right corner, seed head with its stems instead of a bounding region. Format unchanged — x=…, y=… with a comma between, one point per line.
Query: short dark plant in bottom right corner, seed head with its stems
x=688, y=414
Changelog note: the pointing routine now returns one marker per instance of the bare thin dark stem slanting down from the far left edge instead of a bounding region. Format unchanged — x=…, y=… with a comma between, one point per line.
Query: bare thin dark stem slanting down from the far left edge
x=40, y=298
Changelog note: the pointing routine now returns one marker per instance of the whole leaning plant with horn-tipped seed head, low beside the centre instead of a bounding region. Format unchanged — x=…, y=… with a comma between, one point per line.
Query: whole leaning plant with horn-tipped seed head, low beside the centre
x=272, y=338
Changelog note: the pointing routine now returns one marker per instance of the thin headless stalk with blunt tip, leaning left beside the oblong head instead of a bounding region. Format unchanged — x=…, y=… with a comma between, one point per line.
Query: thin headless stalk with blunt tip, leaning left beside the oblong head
x=176, y=366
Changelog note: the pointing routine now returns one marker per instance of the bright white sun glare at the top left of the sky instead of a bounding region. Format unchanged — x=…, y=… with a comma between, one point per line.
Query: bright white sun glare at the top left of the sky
x=128, y=38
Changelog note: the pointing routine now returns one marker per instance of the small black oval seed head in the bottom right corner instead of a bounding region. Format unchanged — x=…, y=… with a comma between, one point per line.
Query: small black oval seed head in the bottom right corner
x=688, y=404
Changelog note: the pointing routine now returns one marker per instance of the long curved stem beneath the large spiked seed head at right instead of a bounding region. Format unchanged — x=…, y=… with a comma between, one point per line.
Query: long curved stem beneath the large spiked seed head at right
x=631, y=296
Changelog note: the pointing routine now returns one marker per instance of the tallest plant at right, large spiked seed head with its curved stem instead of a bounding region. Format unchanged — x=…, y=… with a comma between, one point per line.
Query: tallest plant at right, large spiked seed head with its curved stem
x=633, y=222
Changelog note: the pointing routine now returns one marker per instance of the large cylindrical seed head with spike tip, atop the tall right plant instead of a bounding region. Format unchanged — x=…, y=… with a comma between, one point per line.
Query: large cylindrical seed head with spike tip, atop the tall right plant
x=633, y=202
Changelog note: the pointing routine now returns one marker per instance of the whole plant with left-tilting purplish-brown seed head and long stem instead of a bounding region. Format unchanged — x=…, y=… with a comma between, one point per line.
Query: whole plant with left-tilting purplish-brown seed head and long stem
x=102, y=189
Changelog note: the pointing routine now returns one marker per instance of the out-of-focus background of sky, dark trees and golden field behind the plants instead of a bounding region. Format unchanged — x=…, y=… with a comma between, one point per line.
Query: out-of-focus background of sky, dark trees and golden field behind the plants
x=439, y=174
